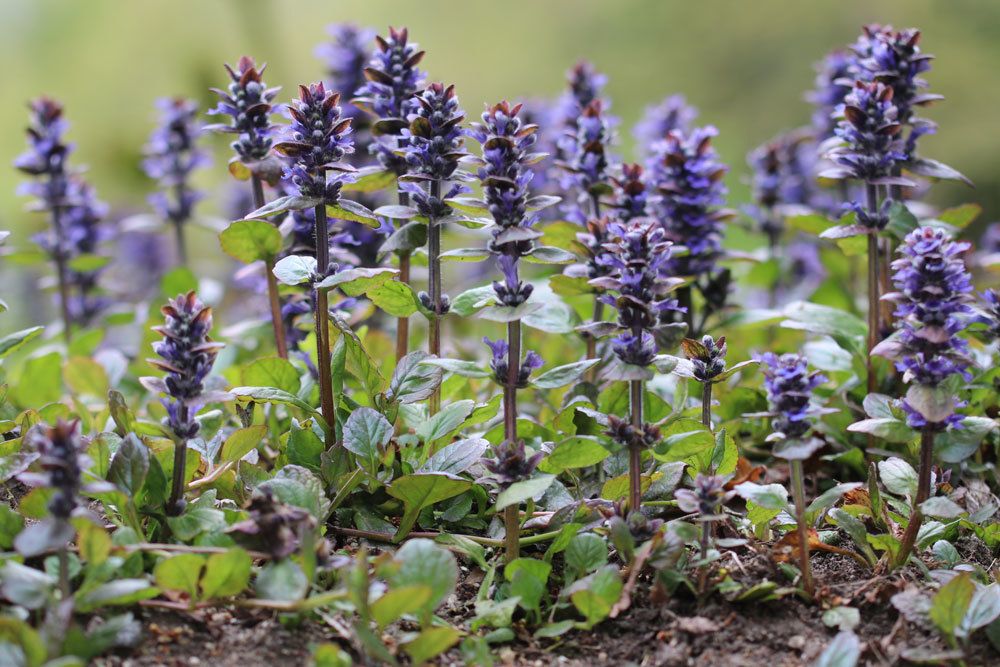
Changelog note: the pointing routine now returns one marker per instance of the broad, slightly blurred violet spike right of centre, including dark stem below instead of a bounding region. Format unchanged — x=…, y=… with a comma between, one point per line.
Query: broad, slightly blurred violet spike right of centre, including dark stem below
x=685, y=172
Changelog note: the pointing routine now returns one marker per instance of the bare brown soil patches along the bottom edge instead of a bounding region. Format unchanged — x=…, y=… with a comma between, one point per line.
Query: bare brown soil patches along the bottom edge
x=676, y=631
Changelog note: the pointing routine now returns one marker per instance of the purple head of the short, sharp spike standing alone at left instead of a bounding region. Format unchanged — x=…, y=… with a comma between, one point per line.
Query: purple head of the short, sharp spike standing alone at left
x=186, y=355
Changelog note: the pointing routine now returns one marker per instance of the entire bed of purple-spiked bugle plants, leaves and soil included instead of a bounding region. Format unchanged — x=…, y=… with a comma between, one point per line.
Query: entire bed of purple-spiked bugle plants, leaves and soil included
x=618, y=440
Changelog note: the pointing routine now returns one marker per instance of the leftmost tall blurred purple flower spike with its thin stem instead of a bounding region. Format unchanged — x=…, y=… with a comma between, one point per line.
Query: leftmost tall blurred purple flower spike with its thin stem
x=45, y=161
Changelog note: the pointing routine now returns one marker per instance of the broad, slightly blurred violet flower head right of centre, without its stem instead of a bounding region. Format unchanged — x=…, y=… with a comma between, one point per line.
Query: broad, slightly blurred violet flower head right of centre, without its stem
x=687, y=174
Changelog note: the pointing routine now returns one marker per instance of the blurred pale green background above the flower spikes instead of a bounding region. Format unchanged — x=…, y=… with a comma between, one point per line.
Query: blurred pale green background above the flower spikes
x=746, y=66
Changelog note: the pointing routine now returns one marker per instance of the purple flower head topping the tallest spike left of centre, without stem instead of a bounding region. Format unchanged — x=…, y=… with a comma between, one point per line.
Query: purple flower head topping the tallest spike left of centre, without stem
x=393, y=79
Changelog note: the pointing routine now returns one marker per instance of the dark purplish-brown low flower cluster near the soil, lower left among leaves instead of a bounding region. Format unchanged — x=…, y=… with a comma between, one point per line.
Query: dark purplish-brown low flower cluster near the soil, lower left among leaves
x=272, y=527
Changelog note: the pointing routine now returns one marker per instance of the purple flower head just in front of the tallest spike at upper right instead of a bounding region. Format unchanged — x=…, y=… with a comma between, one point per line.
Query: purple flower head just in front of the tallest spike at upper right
x=869, y=134
